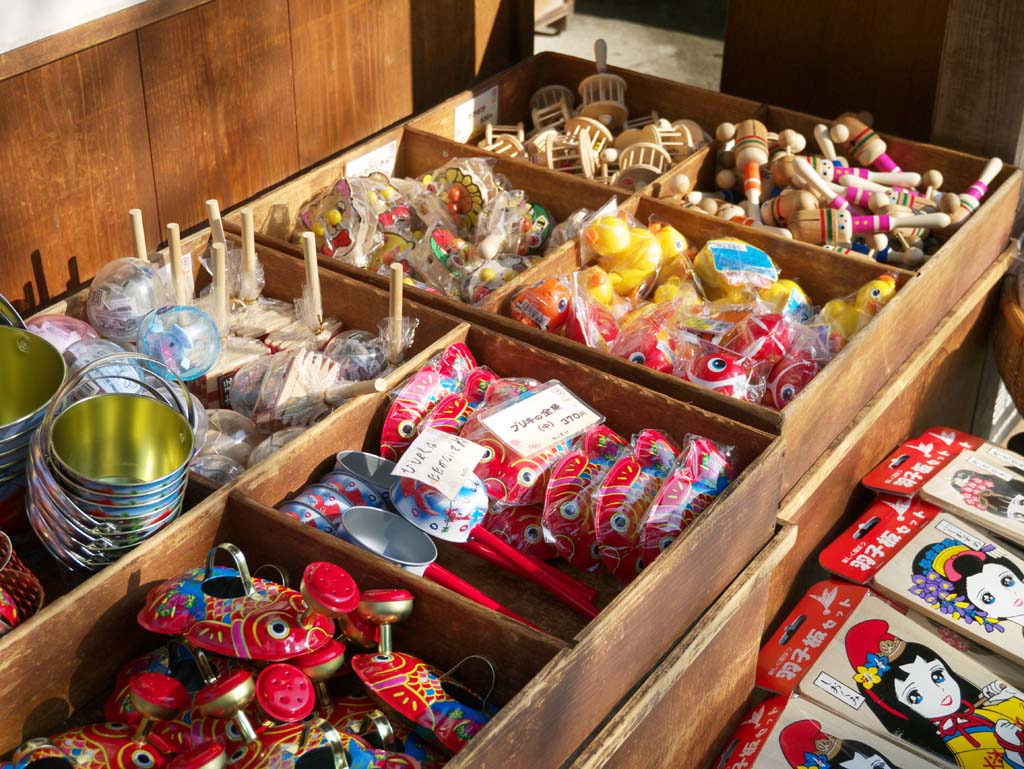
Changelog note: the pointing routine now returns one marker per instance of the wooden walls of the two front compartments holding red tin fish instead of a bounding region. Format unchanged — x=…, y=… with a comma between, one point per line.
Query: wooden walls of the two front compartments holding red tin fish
x=561, y=669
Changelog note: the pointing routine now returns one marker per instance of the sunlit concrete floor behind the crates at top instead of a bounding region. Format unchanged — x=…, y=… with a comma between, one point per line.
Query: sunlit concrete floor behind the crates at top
x=674, y=39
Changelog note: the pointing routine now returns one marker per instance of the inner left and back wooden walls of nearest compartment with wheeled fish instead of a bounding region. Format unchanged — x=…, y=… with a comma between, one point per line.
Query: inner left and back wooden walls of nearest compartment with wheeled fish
x=62, y=664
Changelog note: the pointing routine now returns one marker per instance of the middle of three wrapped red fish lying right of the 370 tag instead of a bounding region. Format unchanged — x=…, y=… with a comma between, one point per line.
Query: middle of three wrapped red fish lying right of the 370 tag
x=624, y=497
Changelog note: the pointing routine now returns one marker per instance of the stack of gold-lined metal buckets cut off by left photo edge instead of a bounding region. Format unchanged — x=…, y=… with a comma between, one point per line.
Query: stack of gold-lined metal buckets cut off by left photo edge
x=31, y=373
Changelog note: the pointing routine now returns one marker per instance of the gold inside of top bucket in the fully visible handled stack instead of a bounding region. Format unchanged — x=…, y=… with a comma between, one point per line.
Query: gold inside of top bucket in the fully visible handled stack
x=118, y=441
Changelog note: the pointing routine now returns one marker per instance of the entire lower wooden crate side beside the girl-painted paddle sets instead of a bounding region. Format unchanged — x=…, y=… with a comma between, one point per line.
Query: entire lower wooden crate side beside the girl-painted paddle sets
x=686, y=710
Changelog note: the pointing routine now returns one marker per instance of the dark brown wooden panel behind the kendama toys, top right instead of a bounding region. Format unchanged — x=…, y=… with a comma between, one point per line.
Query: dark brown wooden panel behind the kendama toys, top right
x=766, y=58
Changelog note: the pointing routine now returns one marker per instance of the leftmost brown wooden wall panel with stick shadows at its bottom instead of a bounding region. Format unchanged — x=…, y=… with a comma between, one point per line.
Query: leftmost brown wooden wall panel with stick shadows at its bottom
x=75, y=157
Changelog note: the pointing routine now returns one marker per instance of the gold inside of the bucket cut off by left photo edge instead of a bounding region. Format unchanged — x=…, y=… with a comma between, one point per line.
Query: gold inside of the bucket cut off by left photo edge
x=31, y=373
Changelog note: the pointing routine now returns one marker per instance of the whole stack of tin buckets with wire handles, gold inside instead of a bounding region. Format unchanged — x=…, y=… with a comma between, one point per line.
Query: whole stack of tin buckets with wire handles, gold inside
x=109, y=471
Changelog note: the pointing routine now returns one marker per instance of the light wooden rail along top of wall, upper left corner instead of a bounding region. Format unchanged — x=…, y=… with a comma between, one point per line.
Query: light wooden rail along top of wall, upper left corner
x=91, y=34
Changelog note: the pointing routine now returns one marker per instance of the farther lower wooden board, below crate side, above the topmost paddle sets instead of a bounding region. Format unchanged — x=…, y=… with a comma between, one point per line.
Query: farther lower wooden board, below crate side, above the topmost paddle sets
x=936, y=387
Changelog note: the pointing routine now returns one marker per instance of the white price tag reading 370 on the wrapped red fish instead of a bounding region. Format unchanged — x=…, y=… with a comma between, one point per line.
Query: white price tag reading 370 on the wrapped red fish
x=548, y=416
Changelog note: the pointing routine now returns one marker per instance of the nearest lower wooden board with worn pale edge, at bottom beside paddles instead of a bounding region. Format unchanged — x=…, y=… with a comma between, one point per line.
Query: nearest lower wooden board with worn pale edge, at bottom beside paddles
x=675, y=717
